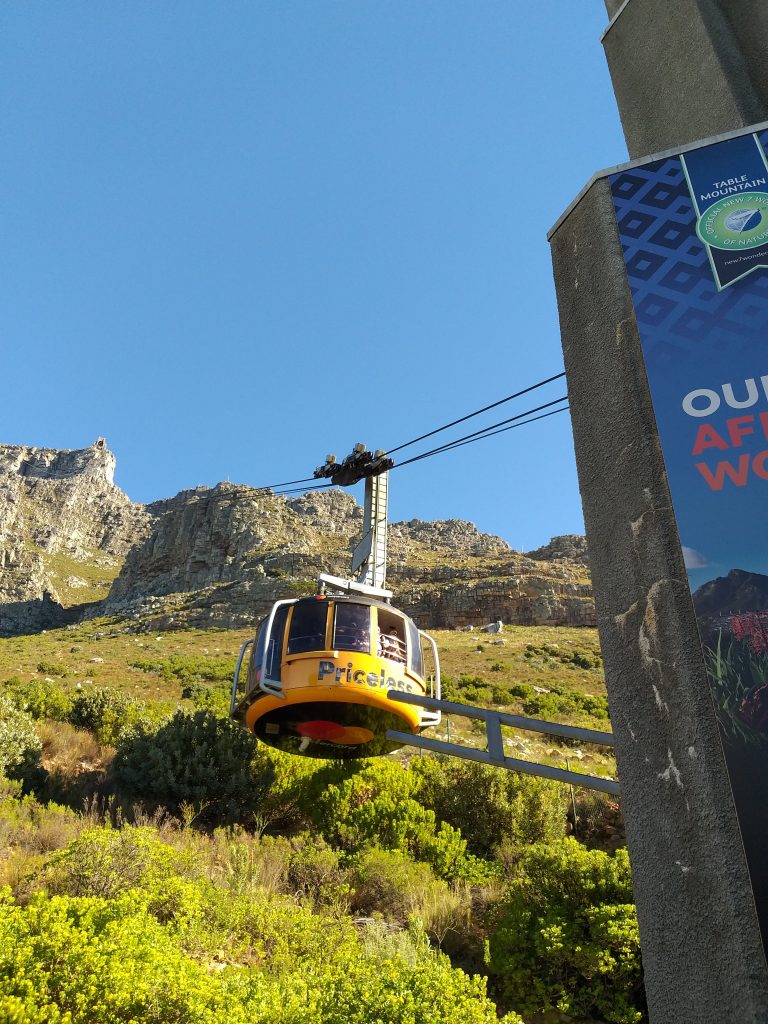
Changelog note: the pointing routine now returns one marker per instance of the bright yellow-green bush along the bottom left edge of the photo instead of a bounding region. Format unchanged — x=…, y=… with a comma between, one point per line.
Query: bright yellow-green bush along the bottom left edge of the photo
x=94, y=961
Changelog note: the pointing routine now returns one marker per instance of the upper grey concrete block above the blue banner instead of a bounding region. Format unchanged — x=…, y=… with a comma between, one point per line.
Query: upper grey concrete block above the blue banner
x=685, y=70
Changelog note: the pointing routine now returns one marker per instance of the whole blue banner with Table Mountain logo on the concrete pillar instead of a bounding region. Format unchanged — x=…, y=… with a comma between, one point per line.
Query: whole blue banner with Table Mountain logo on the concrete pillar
x=695, y=233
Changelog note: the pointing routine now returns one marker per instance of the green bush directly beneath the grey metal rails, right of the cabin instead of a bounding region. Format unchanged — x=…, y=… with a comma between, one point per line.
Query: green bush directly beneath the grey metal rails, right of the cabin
x=491, y=806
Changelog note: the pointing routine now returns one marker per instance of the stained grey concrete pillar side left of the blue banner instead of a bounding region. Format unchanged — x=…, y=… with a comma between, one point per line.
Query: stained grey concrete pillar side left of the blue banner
x=701, y=942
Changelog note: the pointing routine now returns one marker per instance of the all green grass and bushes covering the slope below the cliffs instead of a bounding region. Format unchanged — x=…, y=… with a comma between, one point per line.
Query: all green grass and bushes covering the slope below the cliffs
x=161, y=866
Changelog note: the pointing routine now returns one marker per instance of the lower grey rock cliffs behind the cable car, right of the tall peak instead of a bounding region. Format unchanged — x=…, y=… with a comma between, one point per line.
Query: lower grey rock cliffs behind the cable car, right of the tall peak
x=222, y=557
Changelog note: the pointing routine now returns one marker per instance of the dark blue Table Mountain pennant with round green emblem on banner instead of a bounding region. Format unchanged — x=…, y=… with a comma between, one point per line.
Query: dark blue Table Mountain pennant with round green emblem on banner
x=729, y=183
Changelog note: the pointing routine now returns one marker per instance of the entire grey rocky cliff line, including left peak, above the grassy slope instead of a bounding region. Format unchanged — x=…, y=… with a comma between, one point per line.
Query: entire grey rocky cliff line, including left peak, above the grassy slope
x=221, y=557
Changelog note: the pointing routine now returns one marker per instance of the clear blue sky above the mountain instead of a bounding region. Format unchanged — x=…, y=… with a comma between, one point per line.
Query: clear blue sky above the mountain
x=240, y=236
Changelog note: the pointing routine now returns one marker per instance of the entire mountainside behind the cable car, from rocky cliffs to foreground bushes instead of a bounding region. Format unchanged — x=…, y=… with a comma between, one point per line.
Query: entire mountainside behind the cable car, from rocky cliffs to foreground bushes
x=145, y=837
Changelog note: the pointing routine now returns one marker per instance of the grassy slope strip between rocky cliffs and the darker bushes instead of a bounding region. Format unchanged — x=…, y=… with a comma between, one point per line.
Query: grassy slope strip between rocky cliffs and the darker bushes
x=480, y=659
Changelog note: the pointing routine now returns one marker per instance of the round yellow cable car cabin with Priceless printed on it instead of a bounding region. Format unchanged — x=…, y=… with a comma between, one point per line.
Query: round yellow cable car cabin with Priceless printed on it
x=319, y=674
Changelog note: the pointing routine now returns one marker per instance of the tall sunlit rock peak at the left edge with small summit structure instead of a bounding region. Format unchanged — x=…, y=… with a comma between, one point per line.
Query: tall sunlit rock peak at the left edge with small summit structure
x=62, y=518
